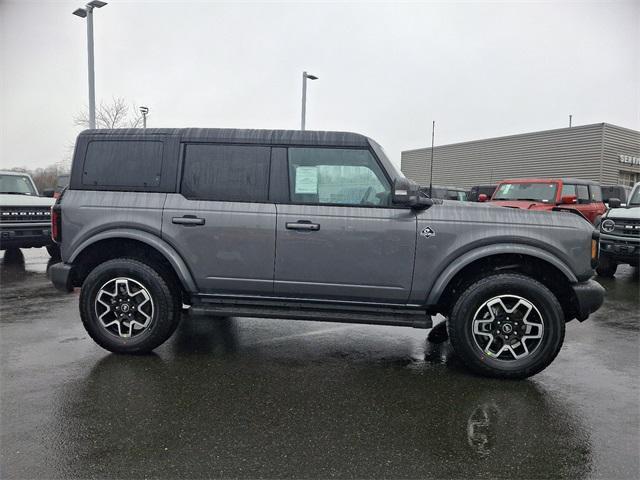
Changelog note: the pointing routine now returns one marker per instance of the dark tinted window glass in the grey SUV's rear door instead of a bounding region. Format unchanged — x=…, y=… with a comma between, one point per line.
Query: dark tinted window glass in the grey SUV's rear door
x=226, y=173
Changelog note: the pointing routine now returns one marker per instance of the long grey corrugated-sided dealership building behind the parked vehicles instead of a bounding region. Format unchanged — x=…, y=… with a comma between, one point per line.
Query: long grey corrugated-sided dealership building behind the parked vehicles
x=602, y=152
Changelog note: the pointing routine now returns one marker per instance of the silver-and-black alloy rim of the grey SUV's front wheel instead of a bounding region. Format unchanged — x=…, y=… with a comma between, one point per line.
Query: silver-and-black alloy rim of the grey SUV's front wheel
x=508, y=328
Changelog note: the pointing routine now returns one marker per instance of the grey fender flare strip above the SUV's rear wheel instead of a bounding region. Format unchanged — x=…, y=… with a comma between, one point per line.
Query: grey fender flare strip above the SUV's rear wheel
x=172, y=256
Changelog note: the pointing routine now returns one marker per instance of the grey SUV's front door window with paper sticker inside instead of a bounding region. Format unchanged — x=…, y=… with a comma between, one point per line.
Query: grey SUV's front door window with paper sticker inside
x=336, y=176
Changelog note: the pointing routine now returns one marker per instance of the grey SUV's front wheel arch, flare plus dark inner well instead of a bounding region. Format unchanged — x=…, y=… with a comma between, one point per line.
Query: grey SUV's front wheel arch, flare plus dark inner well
x=529, y=260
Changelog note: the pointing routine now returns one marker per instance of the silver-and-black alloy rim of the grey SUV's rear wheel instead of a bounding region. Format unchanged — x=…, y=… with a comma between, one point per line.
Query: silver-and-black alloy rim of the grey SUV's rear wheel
x=124, y=307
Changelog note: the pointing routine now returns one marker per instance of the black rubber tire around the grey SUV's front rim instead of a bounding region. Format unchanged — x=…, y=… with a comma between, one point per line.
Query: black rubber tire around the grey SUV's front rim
x=460, y=325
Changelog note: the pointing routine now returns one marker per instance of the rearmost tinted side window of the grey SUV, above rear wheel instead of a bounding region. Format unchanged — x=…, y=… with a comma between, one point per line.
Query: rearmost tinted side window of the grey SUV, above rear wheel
x=123, y=164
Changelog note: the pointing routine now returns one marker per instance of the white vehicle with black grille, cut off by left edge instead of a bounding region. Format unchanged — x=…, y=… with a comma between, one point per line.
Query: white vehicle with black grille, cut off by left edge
x=25, y=216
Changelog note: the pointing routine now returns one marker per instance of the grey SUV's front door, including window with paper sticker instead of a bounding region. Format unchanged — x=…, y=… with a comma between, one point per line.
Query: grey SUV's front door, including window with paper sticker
x=338, y=236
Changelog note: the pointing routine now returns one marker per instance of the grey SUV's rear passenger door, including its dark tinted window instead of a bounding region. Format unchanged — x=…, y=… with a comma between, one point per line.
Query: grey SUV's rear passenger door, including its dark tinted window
x=221, y=220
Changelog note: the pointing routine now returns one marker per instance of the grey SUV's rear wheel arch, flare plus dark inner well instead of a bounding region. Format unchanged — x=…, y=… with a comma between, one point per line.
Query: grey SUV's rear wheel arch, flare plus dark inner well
x=129, y=243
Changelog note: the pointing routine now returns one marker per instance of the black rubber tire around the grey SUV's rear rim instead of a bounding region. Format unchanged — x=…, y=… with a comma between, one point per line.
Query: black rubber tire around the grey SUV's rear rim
x=164, y=294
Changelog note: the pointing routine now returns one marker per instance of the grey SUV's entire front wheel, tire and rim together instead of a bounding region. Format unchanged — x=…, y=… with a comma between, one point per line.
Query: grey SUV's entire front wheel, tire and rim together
x=507, y=325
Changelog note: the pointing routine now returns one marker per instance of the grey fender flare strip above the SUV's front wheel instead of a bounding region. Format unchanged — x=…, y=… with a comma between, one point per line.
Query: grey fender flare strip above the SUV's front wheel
x=487, y=251
